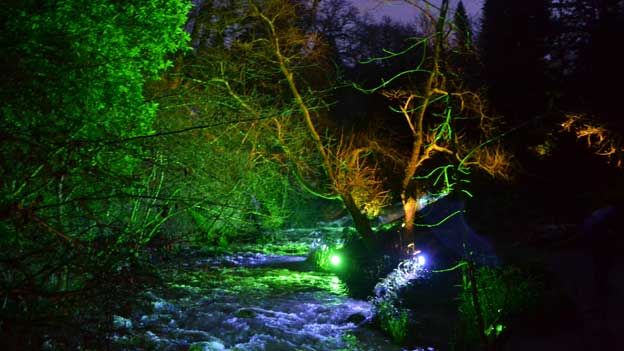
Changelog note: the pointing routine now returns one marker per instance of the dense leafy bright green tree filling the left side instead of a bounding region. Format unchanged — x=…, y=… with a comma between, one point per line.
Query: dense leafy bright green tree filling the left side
x=79, y=199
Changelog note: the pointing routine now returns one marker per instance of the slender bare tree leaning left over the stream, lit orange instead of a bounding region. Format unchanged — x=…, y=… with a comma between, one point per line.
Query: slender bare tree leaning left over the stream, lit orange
x=270, y=70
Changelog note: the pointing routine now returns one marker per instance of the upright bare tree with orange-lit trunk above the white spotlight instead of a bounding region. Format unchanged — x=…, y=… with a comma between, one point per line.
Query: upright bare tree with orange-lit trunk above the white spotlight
x=432, y=109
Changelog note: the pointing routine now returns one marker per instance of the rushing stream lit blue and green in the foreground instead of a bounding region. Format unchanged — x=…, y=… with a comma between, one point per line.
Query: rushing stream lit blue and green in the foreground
x=250, y=302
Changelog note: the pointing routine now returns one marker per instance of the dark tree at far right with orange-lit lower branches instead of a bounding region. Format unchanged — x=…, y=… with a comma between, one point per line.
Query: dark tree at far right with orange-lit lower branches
x=588, y=72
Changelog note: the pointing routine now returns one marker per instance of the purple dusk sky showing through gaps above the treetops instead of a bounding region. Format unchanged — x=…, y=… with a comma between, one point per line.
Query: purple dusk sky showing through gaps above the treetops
x=398, y=10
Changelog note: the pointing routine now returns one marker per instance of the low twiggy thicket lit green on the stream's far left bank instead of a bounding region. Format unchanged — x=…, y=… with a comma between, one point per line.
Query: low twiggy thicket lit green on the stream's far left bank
x=226, y=173
